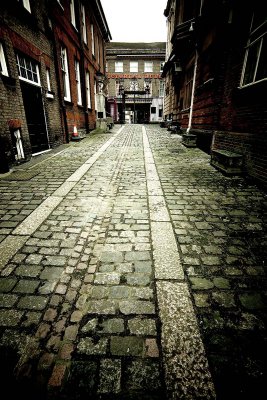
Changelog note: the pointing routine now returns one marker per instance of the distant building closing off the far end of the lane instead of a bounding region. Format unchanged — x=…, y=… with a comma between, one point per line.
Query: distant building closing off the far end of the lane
x=135, y=86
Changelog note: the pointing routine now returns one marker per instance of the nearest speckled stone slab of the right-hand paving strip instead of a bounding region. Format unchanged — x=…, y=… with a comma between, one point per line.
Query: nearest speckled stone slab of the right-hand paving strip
x=186, y=367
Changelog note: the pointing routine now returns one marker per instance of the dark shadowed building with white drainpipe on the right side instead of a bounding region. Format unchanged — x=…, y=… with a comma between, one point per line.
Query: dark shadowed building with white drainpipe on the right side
x=216, y=76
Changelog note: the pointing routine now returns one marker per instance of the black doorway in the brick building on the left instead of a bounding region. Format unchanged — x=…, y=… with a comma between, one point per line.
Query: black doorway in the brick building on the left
x=34, y=110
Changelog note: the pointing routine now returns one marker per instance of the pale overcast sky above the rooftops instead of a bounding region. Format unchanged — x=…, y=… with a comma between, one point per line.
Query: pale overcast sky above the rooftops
x=136, y=20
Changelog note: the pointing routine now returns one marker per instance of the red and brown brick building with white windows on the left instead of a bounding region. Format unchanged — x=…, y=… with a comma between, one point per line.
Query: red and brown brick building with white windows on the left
x=52, y=71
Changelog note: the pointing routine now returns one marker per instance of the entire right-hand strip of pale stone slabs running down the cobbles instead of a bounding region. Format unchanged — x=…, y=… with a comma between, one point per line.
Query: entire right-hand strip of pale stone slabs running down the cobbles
x=186, y=367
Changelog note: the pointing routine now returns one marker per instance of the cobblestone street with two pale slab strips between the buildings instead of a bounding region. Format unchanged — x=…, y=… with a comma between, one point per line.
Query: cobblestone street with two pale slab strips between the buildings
x=131, y=269
